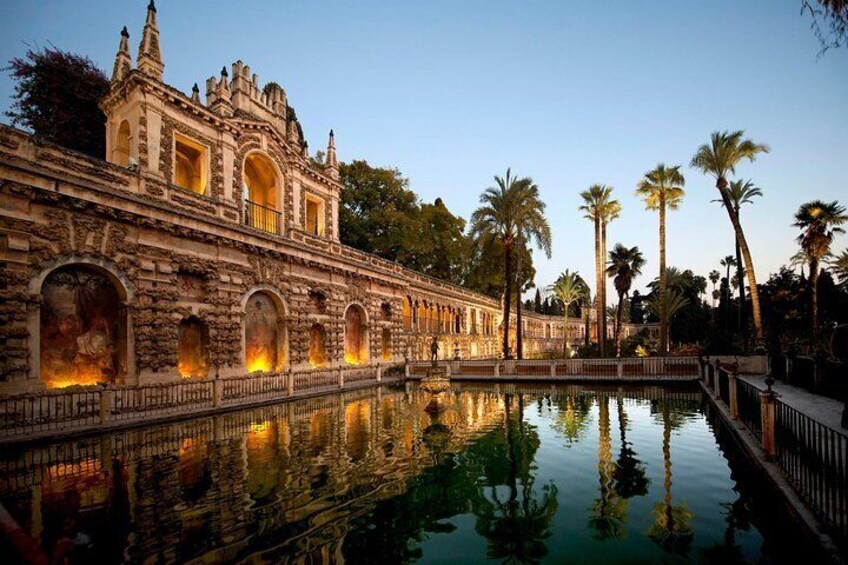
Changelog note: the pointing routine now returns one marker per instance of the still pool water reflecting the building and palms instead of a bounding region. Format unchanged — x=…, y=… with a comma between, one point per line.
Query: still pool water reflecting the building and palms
x=504, y=473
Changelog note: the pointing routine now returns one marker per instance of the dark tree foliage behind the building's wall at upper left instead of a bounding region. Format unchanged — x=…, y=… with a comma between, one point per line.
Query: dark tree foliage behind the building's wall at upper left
x=57, y=95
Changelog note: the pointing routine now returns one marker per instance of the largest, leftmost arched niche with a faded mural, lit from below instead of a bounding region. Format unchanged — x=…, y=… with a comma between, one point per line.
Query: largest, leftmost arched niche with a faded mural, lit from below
x=83, y=328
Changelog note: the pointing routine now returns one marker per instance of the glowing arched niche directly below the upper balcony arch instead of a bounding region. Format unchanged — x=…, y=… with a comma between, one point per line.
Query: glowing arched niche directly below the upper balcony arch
x=264, y=335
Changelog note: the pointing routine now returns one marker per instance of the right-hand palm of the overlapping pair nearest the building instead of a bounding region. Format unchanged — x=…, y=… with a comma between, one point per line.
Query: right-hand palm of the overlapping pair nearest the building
x=531, y=226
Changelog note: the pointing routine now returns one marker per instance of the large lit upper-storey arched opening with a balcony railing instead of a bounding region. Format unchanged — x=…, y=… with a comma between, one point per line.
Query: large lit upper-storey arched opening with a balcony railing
x=262, y=205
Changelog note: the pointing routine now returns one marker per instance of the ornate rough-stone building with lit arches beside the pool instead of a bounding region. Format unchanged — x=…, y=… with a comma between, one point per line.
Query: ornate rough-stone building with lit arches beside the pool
x=207, y=243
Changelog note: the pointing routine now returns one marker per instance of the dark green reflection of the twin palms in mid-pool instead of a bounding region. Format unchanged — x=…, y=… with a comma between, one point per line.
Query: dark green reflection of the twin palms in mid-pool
x=517, y=527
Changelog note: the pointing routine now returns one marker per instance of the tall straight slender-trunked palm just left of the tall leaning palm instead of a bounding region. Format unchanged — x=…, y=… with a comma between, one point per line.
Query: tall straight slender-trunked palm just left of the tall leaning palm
x=661, y=189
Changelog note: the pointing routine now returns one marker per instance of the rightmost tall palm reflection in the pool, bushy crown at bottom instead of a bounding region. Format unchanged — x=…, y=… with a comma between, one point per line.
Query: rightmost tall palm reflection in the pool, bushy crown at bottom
x=672, y=527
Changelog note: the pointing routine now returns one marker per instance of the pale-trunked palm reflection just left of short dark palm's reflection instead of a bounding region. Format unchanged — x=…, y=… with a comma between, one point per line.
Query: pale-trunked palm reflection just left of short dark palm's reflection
x=609, y=510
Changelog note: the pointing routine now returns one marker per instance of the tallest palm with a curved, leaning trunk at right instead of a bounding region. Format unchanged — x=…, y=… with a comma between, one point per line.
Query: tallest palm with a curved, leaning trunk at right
x=719, y=158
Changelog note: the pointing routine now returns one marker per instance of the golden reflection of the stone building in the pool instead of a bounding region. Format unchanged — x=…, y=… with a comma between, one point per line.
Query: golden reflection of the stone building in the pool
x=296, y=474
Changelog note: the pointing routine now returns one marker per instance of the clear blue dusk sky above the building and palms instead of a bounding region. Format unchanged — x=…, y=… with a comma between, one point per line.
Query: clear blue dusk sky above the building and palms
x=570, y=93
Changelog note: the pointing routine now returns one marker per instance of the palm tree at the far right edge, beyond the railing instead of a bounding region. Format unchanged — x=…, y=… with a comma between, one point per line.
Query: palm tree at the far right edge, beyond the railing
x=819, y=222
